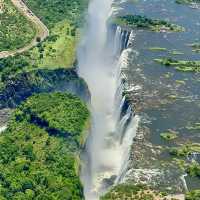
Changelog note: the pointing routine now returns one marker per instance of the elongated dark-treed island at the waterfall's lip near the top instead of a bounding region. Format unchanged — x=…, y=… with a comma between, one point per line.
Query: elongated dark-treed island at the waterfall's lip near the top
x=137, y=21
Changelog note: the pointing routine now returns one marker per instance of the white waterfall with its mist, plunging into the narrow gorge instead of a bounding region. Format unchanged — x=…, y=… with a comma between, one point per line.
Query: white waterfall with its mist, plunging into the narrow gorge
x=113, y=125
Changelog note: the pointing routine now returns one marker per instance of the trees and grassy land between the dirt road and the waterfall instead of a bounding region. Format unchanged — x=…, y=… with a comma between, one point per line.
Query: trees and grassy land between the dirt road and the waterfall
x=63, y=18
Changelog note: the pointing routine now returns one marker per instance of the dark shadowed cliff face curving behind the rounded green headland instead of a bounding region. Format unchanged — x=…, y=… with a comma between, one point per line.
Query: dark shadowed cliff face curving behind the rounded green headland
x=23, y=85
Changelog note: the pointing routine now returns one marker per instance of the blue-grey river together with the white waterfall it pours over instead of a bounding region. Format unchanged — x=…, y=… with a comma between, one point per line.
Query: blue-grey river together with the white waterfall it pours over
x=168, y=99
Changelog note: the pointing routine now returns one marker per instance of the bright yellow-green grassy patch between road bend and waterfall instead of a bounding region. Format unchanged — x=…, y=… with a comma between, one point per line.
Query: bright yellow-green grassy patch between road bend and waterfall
x=59, y=49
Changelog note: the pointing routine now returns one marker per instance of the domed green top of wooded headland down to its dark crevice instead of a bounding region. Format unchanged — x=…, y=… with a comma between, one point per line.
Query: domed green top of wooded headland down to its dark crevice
x=66, y=118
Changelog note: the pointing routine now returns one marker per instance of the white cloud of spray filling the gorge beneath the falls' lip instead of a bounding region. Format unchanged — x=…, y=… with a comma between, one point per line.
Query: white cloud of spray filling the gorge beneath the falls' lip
x=104, y=152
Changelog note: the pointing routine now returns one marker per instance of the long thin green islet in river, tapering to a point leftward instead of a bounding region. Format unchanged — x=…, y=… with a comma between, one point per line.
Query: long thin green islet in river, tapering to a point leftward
x=180, y=65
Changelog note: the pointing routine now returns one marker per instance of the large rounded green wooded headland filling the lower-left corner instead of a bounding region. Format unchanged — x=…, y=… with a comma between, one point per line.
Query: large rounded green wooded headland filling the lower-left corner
x=40, y=149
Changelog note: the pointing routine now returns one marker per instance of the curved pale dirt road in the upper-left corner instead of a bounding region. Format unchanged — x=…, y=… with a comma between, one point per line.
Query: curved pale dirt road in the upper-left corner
x=42, y=30
